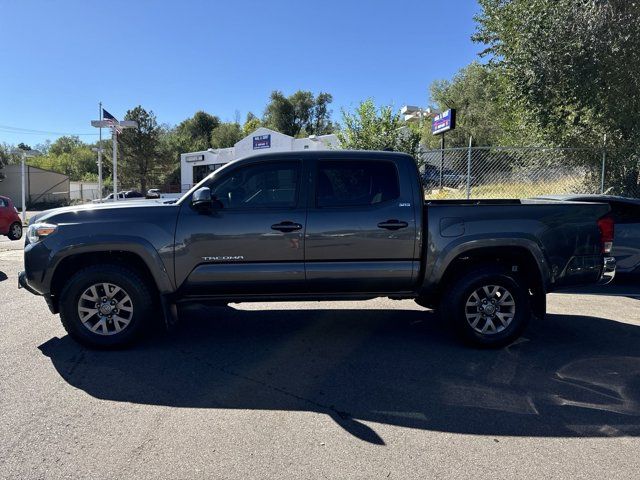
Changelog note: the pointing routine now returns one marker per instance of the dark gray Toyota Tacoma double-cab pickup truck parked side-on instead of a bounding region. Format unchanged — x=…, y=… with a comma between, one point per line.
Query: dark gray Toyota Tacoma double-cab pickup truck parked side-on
x=339, y=225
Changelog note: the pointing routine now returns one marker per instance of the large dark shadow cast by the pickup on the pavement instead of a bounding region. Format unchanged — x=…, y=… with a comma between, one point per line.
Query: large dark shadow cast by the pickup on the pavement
x=569, y=376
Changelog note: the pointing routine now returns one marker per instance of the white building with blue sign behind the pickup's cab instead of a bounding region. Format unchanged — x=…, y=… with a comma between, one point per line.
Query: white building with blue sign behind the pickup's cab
x=194, y=166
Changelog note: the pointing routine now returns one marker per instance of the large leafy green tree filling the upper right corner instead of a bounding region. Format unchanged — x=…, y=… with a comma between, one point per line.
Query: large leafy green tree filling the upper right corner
x=571, y=69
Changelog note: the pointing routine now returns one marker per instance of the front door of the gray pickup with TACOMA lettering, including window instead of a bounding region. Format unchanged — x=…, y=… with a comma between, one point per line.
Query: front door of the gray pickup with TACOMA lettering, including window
x=252, y=242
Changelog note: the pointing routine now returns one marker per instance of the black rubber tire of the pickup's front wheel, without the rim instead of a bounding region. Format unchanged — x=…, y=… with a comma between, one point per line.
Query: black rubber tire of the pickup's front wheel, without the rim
x=131, y=283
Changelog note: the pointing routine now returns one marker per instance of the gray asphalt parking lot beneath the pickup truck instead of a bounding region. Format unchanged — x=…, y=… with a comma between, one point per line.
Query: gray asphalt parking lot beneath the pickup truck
x=376, y=389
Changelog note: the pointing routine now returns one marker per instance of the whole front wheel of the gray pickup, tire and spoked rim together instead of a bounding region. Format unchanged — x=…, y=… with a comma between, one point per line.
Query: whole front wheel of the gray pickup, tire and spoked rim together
x=105, y=306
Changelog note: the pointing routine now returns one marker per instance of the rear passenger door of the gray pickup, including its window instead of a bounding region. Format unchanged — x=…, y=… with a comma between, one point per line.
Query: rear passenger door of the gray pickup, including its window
x=361, y=229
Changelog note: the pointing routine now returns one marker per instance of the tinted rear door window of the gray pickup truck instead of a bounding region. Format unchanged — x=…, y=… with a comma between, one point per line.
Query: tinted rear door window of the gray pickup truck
x=356, y=183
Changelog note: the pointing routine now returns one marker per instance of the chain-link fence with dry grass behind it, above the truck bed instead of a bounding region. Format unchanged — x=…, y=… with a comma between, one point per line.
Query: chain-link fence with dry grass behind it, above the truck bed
x=512, y=172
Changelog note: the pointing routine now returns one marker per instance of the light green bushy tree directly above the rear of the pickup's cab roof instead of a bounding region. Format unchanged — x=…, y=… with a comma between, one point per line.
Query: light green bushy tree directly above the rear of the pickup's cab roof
x=373, y=128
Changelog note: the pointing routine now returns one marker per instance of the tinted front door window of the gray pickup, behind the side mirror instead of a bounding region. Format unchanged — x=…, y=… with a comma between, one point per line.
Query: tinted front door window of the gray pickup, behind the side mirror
x=262, y=185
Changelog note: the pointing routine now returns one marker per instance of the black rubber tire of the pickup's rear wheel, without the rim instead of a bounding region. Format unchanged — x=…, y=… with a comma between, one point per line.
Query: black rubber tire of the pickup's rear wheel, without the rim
x=455, y=309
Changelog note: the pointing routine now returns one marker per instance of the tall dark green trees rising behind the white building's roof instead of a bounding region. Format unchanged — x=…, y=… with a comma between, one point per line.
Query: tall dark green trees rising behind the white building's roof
x=300, y=114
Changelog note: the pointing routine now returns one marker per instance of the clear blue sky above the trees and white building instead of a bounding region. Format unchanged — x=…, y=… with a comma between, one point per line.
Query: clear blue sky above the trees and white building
x=59, y=59
